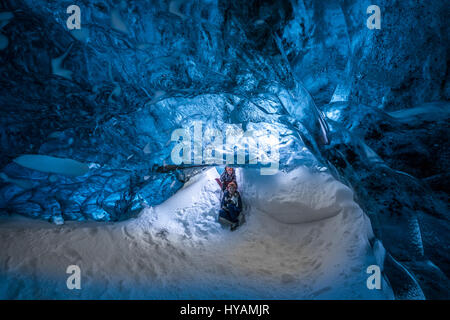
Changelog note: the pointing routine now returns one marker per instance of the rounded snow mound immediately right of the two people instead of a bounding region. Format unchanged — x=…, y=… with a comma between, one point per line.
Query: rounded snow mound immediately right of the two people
x=298, y=196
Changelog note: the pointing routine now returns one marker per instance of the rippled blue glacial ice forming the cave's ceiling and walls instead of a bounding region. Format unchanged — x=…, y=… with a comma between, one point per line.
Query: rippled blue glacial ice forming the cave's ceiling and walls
x=87, y=115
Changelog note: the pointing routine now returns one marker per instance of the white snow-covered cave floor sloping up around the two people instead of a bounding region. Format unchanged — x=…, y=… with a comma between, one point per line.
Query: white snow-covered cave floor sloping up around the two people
x=304, y=238
